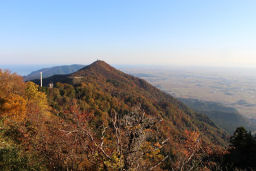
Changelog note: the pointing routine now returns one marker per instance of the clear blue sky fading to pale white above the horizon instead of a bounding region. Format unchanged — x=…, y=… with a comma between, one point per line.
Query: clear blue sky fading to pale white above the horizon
x=153, y=32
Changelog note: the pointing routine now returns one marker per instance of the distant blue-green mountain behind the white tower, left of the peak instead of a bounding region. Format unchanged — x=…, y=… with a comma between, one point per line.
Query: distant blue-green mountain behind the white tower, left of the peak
x=57, y=70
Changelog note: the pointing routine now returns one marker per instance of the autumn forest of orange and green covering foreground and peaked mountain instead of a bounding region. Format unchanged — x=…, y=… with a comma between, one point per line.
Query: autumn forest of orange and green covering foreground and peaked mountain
x=99, y=118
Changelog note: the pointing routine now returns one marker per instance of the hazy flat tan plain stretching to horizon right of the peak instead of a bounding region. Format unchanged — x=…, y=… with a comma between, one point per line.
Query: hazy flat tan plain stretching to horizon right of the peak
x=233, y=87
